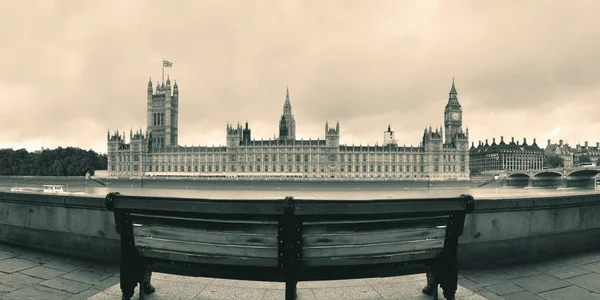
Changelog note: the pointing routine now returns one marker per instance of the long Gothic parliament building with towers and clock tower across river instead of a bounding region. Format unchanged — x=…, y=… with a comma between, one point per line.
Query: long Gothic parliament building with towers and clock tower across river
x=443, y=153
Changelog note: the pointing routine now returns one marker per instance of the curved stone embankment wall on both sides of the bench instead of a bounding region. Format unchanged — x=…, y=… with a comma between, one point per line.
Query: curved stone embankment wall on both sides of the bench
x=498, y=231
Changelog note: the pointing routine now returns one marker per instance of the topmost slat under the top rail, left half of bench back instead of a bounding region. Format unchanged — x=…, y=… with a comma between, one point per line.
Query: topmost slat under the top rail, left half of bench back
x=232, y=226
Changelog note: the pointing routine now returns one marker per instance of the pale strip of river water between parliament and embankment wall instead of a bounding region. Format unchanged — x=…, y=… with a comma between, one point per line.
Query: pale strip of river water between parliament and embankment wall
x=278, y=189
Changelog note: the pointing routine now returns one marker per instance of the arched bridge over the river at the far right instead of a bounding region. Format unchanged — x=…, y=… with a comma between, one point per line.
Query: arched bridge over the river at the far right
x=582, y=177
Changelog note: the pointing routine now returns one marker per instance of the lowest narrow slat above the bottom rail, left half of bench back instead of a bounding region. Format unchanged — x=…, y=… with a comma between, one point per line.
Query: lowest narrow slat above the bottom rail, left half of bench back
x=209, y=259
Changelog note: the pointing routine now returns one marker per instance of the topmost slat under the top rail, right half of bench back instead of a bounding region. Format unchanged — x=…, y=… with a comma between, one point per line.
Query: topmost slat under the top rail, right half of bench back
x=355, y=226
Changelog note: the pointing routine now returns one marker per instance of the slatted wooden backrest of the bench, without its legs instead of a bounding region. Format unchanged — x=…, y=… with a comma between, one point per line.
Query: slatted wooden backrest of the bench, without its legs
x=288, y=234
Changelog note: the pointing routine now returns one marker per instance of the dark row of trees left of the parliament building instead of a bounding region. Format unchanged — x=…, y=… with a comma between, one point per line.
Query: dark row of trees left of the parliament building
x=68, y=161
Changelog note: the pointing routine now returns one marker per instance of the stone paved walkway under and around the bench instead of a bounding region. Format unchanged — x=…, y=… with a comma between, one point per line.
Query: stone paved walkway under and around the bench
x=31, y=274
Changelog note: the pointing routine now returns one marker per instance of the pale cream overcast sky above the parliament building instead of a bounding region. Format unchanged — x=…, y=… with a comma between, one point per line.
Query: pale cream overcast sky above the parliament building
x=72, y=70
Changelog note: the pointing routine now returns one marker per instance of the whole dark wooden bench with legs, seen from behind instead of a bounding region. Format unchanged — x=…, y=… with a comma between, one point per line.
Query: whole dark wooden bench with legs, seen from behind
x=287, y=240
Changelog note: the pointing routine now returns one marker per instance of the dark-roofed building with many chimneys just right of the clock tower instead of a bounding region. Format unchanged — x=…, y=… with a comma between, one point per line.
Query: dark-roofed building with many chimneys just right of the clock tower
x=505, y=157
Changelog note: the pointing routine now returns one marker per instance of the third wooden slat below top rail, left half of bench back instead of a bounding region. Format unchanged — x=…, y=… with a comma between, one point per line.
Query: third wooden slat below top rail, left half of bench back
x=207, y=248
